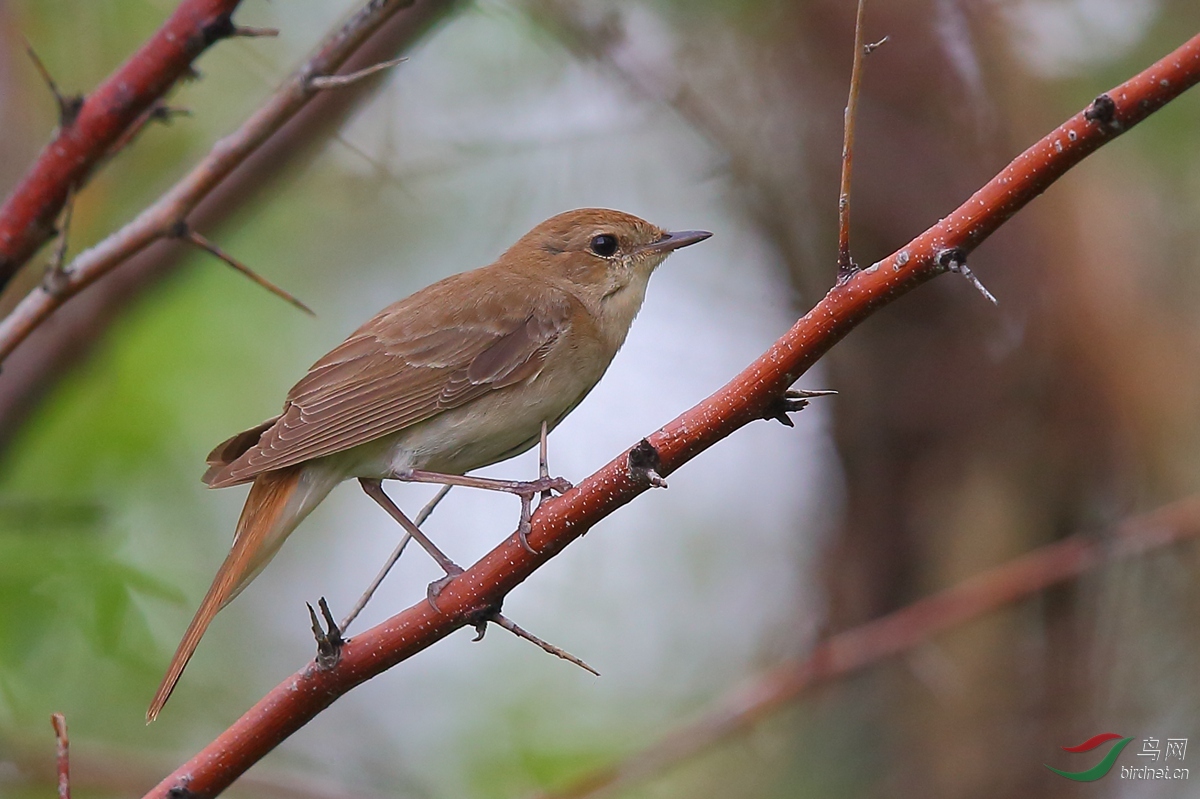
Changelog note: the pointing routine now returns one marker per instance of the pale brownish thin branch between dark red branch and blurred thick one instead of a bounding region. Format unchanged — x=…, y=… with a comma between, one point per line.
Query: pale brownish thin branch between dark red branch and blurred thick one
x=163, y=218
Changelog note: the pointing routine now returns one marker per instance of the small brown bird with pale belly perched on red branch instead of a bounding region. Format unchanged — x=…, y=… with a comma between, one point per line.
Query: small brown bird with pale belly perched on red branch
x=463, y=375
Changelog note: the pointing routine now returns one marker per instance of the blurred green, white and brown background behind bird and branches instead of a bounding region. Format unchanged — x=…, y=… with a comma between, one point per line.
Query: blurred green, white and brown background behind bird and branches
x=964, y=435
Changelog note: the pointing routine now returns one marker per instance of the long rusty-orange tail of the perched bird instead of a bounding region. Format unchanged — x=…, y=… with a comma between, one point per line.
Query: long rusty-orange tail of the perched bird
x=277, y=504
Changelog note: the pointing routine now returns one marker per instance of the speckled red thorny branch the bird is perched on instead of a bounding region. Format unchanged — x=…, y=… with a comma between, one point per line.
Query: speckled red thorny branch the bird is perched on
x=482, y=588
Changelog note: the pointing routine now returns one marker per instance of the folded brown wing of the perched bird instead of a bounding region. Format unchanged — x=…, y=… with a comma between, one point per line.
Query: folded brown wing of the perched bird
x=439, y=350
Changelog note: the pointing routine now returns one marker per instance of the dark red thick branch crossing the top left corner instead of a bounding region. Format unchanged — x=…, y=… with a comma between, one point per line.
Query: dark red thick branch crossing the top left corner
x=27, y=219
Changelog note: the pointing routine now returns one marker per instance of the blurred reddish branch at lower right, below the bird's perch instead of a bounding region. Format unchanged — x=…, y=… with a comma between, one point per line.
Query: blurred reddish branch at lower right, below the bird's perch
x=892, y=635
